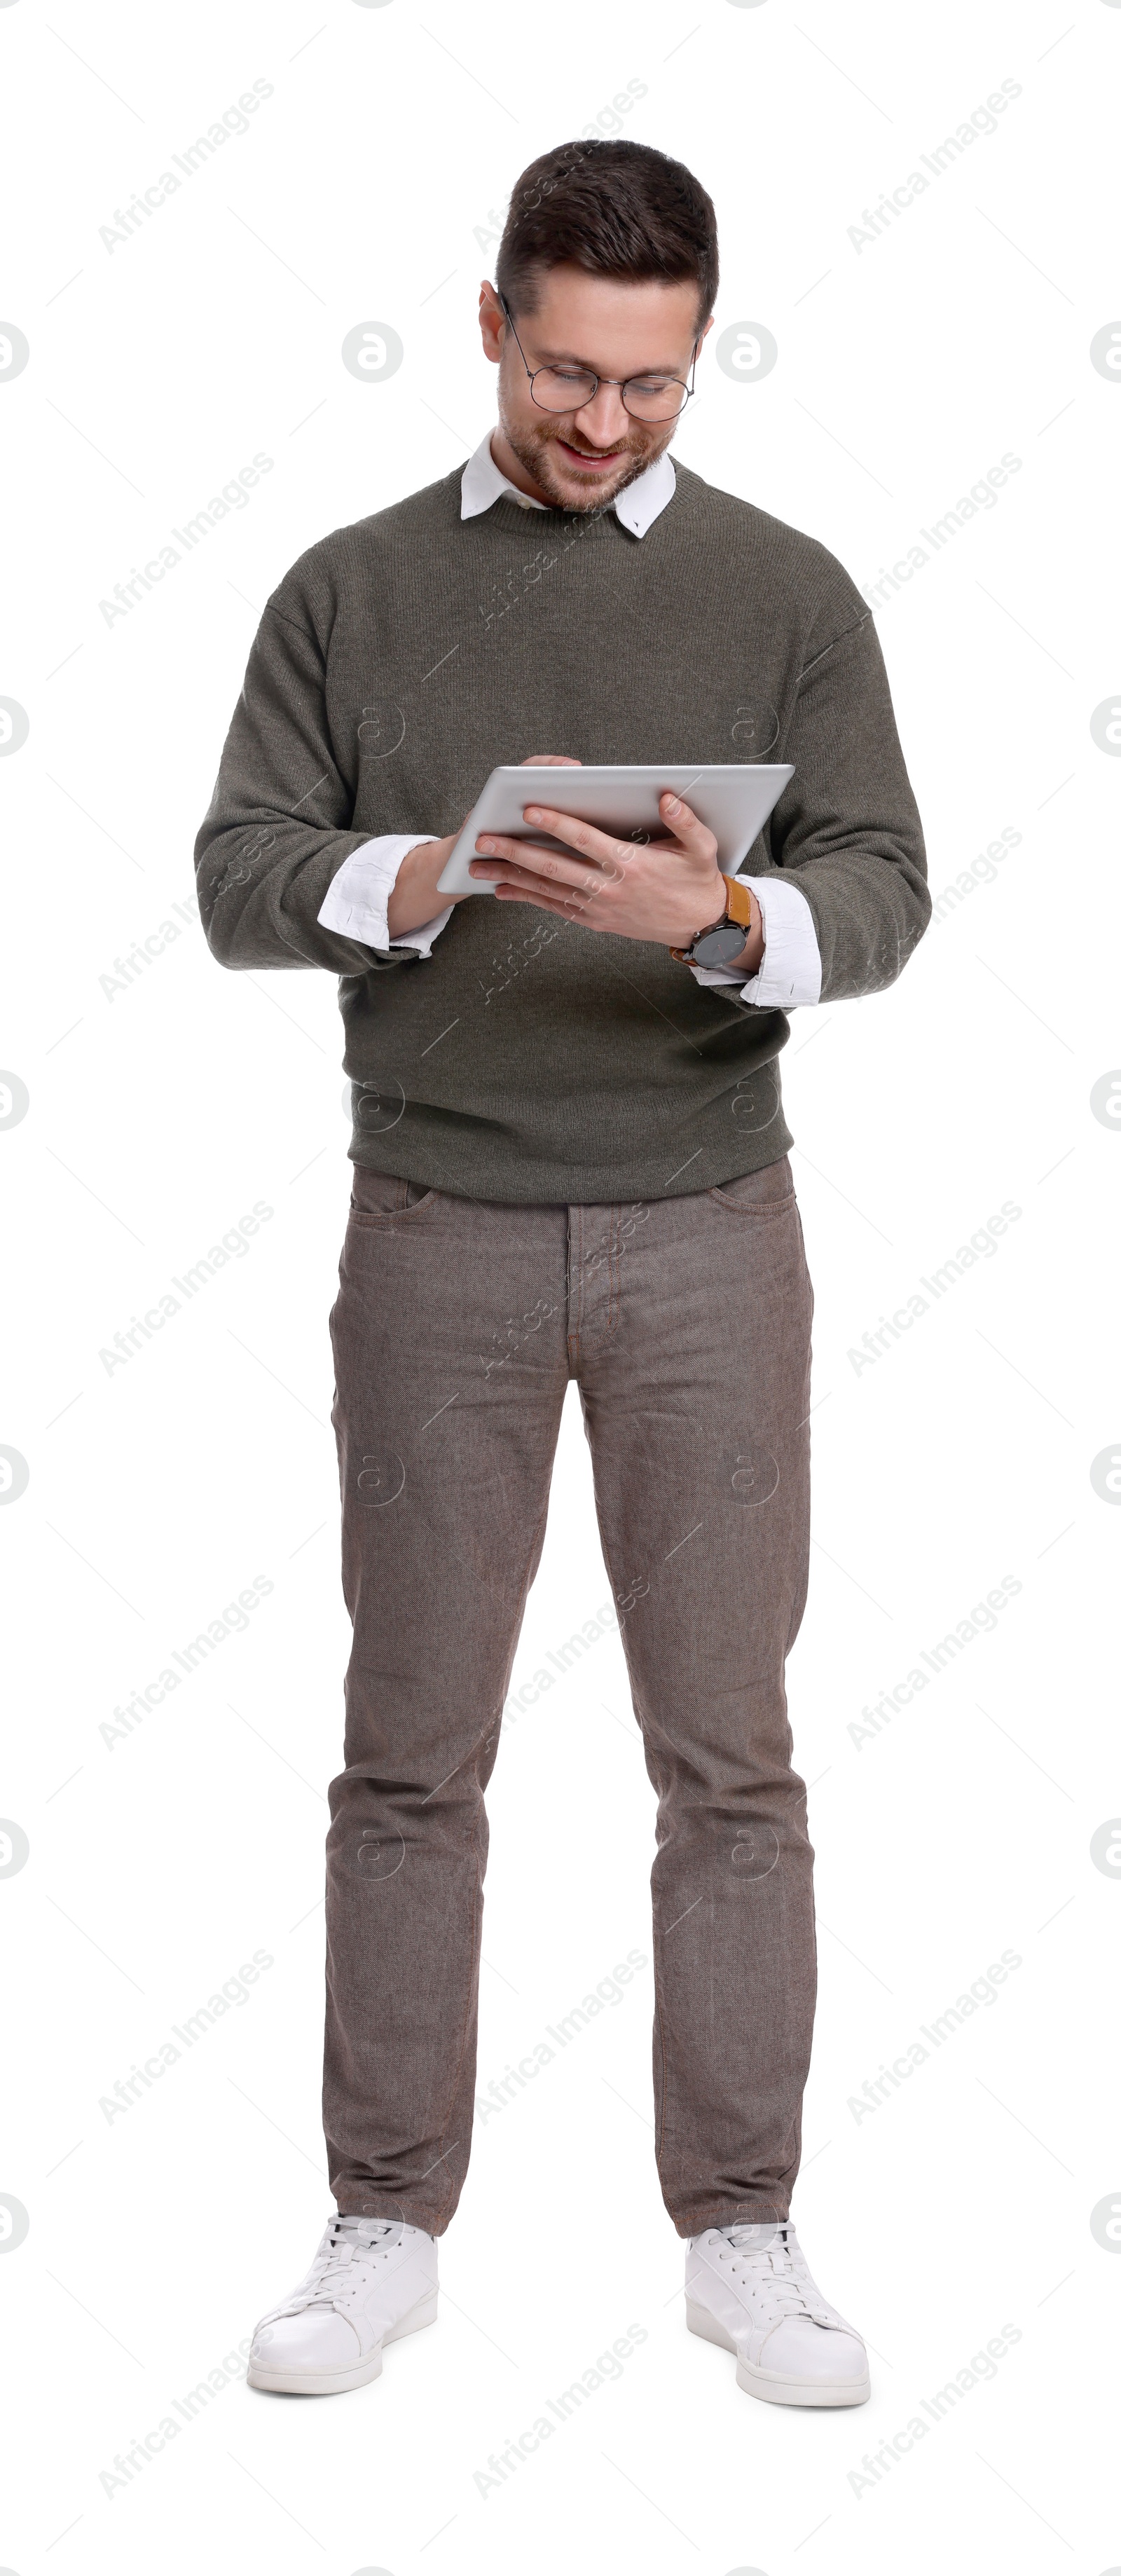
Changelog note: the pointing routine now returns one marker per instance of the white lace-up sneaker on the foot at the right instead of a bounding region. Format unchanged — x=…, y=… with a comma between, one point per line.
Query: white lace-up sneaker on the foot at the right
x=751, y=2291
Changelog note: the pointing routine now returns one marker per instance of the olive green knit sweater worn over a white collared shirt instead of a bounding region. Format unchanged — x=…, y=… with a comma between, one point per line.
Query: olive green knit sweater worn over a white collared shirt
x=398, y=663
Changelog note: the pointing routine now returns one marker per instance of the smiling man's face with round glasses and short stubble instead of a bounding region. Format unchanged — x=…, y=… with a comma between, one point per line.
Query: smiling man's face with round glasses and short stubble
x=581, y=460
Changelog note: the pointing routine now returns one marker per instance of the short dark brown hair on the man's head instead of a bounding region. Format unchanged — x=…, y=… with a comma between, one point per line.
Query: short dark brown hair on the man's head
x=617, y=210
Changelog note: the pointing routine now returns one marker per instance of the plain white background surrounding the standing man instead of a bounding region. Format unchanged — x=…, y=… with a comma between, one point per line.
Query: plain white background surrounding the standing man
x=158, y=1114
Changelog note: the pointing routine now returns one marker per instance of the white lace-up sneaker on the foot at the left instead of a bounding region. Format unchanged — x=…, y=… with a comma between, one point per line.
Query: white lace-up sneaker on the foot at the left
x=370, y=2284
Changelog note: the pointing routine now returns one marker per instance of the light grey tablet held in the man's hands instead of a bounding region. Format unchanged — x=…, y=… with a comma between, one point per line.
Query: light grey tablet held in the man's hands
x=733, y=797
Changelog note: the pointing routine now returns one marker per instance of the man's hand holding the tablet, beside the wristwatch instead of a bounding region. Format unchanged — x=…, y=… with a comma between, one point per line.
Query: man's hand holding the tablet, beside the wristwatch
x=664, y=893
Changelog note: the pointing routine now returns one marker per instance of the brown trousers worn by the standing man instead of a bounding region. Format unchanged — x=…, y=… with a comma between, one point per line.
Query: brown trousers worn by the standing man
x=457, y=1328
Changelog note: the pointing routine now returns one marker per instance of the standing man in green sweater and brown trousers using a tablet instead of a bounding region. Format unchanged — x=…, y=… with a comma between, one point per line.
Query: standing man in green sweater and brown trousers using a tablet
x=571, y=1160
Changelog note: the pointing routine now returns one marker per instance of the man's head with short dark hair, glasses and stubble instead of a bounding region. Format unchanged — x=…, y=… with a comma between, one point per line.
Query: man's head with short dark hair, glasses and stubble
x=607, y=264
